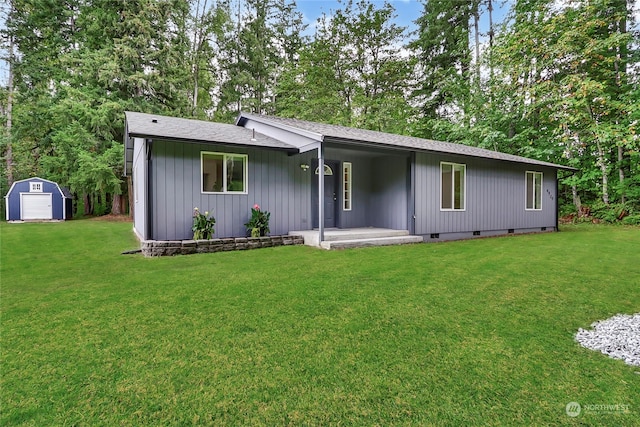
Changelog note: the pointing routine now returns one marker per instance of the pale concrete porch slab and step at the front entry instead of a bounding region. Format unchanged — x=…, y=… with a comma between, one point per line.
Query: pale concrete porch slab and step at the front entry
x=345, y=238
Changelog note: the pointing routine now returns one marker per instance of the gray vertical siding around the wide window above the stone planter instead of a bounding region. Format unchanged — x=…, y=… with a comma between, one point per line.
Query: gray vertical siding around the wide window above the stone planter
x=276, y=182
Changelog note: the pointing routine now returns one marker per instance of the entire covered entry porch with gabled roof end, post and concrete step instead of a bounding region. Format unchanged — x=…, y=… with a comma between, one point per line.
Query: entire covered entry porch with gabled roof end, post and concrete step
x=361, y=185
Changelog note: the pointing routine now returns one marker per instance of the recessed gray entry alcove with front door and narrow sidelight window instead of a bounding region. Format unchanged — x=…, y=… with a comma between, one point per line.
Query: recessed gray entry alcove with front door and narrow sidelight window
x=363, y=188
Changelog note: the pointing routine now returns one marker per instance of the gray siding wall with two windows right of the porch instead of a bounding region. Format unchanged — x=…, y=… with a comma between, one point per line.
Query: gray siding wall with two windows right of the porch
x=495, y=197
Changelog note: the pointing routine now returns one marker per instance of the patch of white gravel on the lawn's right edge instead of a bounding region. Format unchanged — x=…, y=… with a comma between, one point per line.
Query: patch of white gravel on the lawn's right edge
x=618, y=337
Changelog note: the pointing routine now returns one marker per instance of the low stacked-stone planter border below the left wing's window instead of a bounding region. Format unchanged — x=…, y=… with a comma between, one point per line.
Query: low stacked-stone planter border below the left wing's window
x=186, y=247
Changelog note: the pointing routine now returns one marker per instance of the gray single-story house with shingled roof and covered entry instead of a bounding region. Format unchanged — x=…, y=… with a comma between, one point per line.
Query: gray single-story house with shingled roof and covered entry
x=428, y=190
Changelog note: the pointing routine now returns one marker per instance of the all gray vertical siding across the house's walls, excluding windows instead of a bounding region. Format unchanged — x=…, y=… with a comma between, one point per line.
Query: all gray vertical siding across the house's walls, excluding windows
x=495, y=192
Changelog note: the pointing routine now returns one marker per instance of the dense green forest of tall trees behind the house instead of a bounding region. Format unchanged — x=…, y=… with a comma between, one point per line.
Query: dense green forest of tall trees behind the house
x=552, y=80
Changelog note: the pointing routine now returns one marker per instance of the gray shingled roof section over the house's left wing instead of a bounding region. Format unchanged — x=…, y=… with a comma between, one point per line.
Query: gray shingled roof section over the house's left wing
x=144, y=125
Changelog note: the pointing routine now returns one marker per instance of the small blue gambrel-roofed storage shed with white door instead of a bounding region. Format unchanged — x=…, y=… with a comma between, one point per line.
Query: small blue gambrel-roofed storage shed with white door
x=37, y=199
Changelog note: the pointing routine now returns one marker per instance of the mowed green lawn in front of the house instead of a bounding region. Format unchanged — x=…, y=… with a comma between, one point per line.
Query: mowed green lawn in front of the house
x=463, y=333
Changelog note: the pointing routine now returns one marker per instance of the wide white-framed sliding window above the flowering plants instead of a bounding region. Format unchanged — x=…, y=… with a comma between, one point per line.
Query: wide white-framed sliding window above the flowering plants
x=224, y=173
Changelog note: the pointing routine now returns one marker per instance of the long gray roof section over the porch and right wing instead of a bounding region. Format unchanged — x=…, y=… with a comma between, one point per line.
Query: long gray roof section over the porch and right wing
x=335, y=133
